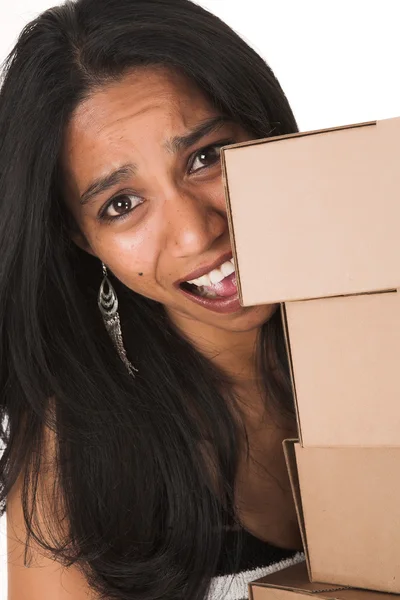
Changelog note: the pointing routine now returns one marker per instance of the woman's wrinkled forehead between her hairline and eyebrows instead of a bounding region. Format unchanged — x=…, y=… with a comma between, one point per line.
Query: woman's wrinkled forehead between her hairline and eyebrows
x=147, y=102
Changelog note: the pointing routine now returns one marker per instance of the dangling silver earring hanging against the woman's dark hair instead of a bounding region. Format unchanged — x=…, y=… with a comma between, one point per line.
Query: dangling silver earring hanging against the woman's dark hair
x=108, y=305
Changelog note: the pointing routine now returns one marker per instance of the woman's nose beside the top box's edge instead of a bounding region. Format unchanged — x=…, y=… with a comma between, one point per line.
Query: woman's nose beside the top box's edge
x=195, y=224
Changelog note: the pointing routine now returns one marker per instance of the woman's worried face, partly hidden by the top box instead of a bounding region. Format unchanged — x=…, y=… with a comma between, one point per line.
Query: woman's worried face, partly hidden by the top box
x=144, y=185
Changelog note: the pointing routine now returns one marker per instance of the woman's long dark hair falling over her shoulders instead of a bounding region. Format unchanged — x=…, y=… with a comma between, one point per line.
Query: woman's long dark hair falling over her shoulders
x=144, y=467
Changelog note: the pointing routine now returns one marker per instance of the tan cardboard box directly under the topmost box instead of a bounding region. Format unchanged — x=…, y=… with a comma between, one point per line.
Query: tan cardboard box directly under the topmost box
x=345, y=362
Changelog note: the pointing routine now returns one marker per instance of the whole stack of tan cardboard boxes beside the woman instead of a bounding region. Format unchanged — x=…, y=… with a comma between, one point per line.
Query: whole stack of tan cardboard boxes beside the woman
x=314, y=221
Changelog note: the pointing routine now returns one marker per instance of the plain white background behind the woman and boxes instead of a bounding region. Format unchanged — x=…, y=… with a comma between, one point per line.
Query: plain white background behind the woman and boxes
x=337, y=61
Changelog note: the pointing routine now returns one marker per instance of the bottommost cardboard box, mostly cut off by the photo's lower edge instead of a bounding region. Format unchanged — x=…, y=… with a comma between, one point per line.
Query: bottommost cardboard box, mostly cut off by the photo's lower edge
x=293, y=584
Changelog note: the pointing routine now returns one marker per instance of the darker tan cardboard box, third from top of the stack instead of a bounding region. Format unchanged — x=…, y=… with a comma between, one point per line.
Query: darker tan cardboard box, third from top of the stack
x=349, y=513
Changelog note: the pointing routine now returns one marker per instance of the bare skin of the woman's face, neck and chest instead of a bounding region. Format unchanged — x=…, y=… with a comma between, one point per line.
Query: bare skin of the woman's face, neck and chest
x=179, y=224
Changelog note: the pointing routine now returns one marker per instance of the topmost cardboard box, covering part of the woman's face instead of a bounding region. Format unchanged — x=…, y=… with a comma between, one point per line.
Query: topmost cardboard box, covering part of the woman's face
x=315, y=214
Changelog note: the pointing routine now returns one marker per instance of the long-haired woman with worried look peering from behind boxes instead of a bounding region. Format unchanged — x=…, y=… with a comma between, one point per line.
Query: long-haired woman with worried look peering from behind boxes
x=144, y=408
